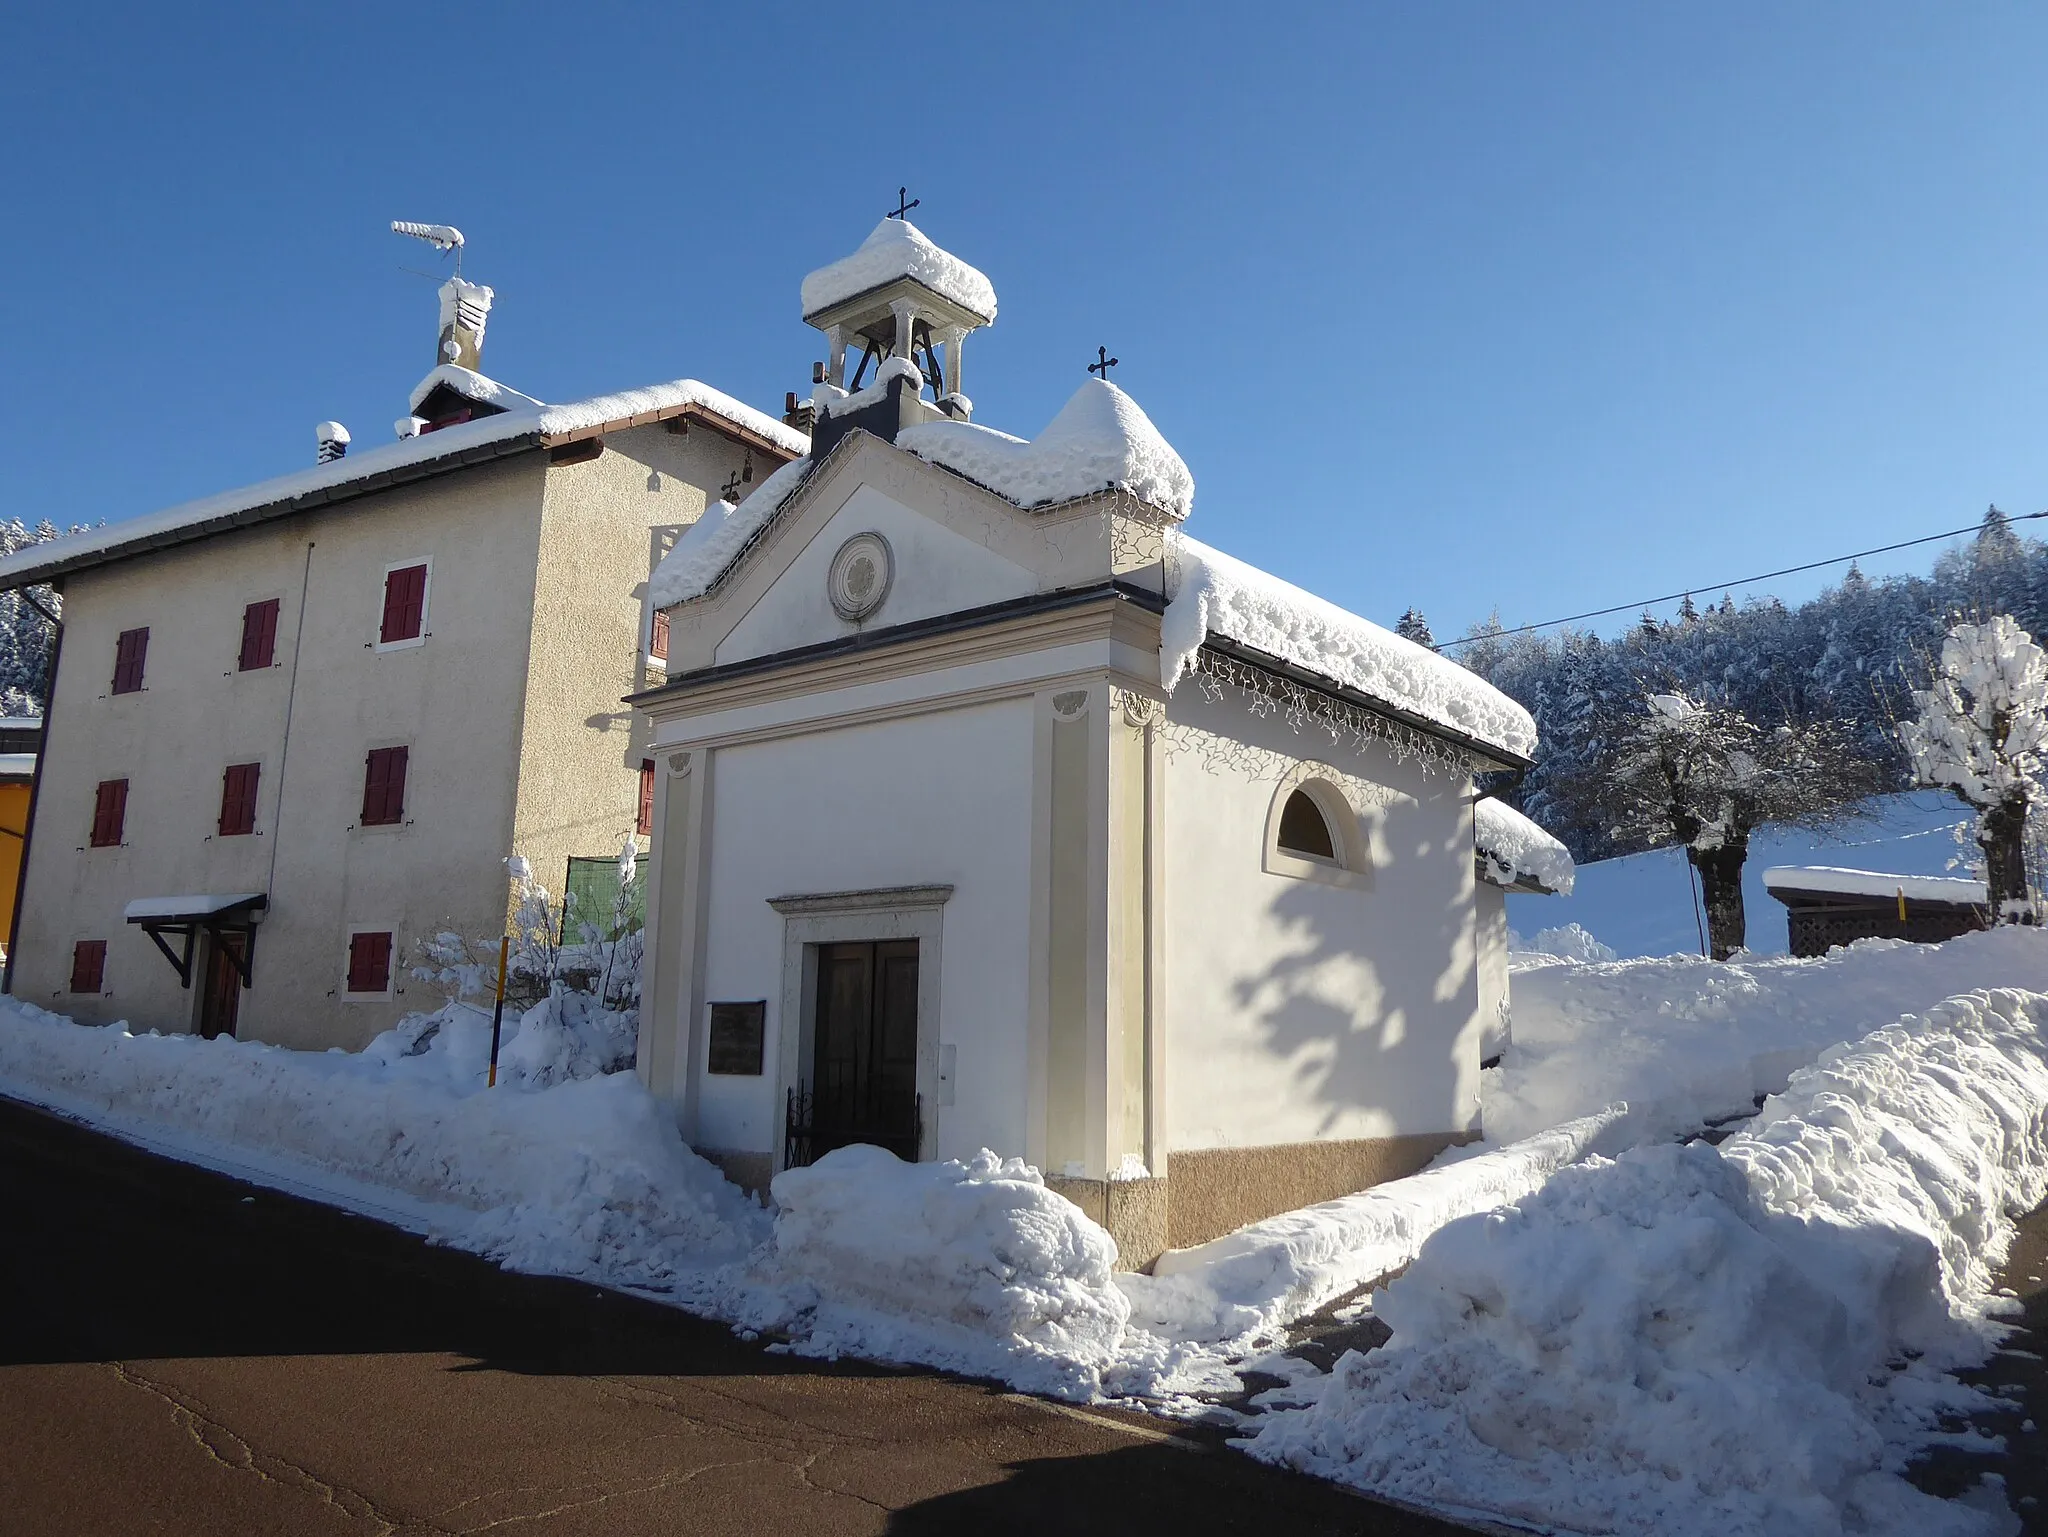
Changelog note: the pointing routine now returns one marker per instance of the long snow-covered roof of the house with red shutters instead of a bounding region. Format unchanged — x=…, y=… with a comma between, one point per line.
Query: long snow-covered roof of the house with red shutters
x=386, y=464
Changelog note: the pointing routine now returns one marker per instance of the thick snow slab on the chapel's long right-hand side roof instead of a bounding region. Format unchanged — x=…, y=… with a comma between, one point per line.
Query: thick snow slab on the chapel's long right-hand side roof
x=1220, y=595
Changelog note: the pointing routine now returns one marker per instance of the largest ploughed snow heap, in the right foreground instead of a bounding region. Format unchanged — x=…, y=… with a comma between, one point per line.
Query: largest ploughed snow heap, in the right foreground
x=1715, y=1341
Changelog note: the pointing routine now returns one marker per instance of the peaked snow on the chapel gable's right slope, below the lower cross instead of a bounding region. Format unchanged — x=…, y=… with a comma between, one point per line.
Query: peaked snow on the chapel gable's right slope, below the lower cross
x=1099, y=442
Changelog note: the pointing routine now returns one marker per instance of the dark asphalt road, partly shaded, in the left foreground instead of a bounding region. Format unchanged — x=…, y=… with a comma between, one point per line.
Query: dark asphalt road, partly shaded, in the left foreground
x=185, y=1354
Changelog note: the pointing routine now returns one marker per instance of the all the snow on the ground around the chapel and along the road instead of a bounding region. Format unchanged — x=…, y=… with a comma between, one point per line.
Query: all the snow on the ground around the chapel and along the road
x=1596, y=1331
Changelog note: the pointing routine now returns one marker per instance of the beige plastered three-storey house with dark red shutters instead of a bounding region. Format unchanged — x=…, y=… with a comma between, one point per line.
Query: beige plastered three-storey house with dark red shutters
x=302, y=724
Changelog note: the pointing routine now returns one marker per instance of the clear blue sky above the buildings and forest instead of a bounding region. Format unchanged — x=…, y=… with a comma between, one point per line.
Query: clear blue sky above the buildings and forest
x=1463, y=306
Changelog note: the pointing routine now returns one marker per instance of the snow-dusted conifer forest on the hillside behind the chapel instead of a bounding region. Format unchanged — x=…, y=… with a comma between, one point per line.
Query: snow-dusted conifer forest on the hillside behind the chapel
x=1854, y=655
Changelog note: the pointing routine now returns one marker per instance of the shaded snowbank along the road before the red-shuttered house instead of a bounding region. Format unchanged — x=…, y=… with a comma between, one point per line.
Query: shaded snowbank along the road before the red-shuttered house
x=587, y=1177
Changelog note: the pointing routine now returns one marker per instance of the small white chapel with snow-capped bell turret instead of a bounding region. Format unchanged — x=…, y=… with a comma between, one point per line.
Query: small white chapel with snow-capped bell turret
x=992, y=811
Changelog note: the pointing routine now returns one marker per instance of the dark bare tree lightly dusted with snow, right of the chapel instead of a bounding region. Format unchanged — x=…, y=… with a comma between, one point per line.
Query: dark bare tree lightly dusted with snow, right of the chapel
x=1705, y=778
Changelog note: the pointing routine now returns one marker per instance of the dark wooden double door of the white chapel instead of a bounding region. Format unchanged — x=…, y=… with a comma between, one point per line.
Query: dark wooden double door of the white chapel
x=865, y=1048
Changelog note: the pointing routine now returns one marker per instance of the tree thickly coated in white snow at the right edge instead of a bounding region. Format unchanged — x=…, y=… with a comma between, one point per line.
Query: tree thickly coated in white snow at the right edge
x=1981, y=733
